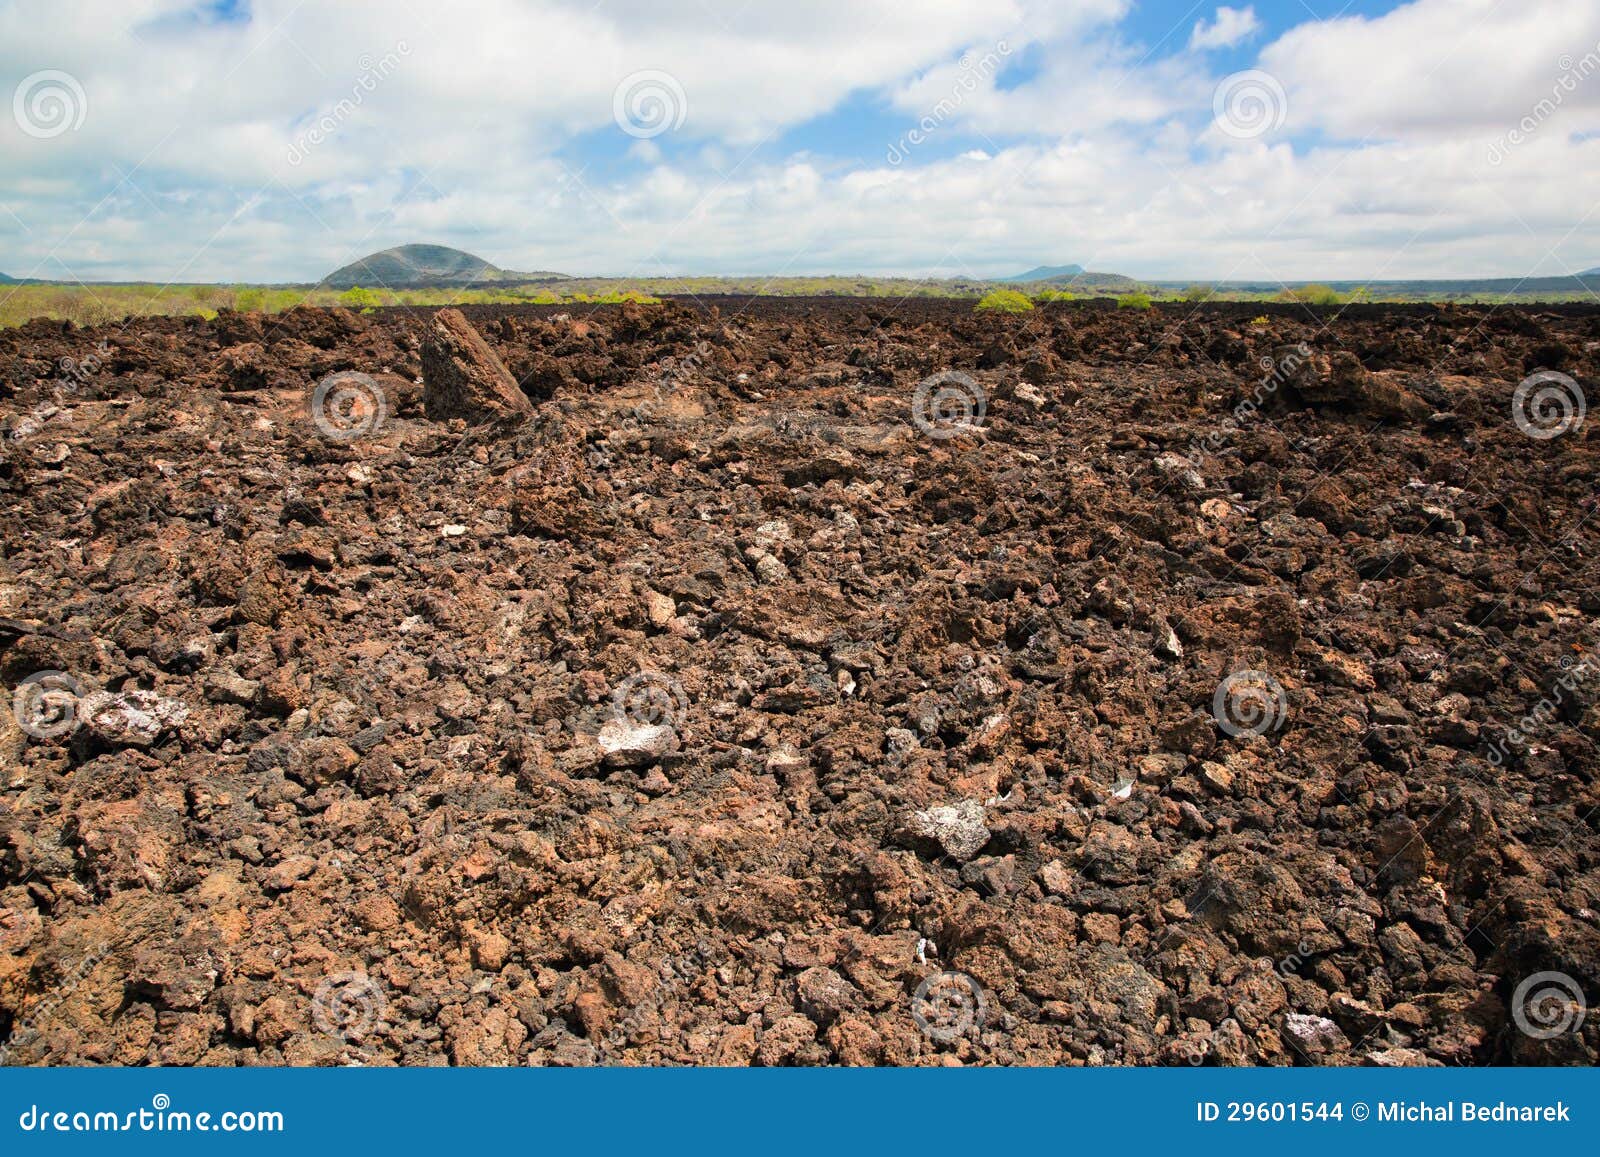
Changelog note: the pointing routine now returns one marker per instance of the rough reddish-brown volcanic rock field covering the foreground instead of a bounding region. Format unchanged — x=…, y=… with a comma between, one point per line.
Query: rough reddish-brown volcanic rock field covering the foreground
x=801, y=683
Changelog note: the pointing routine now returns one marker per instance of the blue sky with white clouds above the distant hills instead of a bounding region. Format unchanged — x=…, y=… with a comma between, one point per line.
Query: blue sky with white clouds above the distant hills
x=271, y=140
